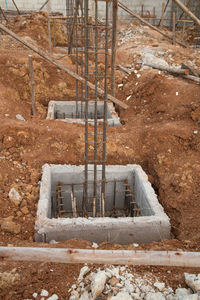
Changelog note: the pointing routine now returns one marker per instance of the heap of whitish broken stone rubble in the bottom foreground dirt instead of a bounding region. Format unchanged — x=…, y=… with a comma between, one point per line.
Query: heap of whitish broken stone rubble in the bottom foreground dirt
x=121, y=283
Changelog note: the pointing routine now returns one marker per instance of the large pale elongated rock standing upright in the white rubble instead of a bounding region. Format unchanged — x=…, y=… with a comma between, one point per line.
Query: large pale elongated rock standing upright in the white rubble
x=98, y=284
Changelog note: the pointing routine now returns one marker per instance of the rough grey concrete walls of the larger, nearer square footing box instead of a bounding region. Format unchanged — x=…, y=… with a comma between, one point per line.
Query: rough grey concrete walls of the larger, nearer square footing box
x=153, y=225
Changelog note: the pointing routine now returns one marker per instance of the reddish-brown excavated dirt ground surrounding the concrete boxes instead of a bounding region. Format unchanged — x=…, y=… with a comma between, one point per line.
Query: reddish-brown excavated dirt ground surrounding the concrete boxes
x=160, y=131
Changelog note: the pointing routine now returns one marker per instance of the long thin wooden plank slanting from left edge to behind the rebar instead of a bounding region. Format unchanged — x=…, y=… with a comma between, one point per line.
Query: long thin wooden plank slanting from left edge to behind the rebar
x=61, y=67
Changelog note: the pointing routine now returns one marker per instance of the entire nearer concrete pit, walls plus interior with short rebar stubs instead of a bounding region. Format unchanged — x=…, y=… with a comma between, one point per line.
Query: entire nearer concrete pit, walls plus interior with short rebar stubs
x=143, y=223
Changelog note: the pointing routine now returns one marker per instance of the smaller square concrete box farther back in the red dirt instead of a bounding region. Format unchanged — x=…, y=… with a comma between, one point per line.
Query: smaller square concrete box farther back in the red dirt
x=74, y=112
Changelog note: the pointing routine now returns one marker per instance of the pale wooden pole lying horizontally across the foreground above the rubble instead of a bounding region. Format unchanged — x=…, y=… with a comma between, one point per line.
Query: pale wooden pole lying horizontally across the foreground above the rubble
x=115, y=257
